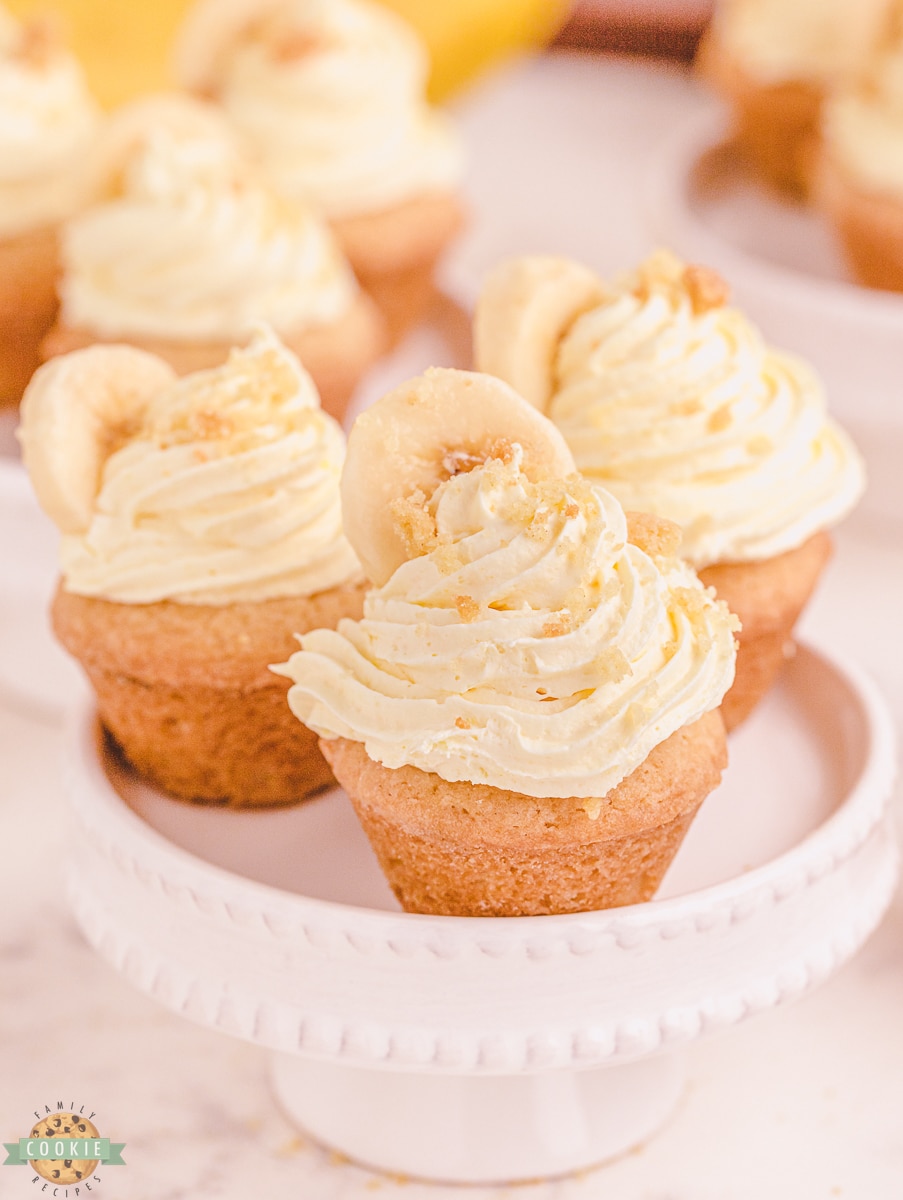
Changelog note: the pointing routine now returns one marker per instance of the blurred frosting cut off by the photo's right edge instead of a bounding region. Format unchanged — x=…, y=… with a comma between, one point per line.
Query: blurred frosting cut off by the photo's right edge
x=864, y=128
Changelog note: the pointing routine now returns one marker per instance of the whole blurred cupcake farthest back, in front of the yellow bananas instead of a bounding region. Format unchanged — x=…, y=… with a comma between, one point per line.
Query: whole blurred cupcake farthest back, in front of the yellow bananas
x=330, y=95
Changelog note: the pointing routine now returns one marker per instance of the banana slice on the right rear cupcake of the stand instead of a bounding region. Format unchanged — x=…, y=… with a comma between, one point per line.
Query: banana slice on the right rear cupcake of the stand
x=525, y=309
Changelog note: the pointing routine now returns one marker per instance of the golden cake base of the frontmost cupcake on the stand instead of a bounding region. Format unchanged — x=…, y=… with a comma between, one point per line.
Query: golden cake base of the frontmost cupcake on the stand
x=473, y=850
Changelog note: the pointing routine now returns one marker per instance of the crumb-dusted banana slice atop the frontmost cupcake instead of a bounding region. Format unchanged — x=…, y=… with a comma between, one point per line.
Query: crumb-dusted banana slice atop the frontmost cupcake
x=428, y=430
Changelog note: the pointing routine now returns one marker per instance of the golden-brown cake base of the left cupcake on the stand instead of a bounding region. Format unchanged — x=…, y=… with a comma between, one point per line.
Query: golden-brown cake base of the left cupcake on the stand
x=187, y=693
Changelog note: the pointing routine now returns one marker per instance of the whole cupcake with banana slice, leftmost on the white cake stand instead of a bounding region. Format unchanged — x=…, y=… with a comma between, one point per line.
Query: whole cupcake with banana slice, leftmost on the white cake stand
x=201, y=526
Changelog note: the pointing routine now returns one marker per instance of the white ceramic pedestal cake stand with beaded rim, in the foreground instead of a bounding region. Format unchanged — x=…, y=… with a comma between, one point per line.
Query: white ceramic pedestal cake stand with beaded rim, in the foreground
x=481, y=1049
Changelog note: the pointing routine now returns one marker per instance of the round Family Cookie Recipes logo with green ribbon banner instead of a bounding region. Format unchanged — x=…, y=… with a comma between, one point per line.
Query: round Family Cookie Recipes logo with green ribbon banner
x=65, y=1150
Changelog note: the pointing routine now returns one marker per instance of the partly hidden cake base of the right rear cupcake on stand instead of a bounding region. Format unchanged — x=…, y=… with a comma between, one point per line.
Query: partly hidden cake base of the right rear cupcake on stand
x=769, y=598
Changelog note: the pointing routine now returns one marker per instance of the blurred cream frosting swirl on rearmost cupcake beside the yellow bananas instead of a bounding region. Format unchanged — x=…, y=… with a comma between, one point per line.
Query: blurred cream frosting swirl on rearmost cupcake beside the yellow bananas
x=330, y=94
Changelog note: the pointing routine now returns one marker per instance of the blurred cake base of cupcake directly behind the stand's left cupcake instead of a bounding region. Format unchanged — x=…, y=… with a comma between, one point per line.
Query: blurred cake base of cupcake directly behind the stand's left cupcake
x=336, y=356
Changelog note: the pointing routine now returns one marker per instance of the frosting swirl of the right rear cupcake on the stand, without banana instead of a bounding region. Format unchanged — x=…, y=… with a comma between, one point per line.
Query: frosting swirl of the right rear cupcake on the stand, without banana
x=690, y=416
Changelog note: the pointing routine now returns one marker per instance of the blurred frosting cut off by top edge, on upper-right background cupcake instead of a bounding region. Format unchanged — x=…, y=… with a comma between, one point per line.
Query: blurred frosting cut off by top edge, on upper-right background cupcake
x=822, y=41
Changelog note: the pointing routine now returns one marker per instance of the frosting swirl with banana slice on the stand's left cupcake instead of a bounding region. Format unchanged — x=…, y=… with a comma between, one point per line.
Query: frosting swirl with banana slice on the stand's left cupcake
x=218, y=488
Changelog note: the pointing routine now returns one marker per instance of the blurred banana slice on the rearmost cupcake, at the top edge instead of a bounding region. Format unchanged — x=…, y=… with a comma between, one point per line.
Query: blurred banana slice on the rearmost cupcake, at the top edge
x=207, y=37
